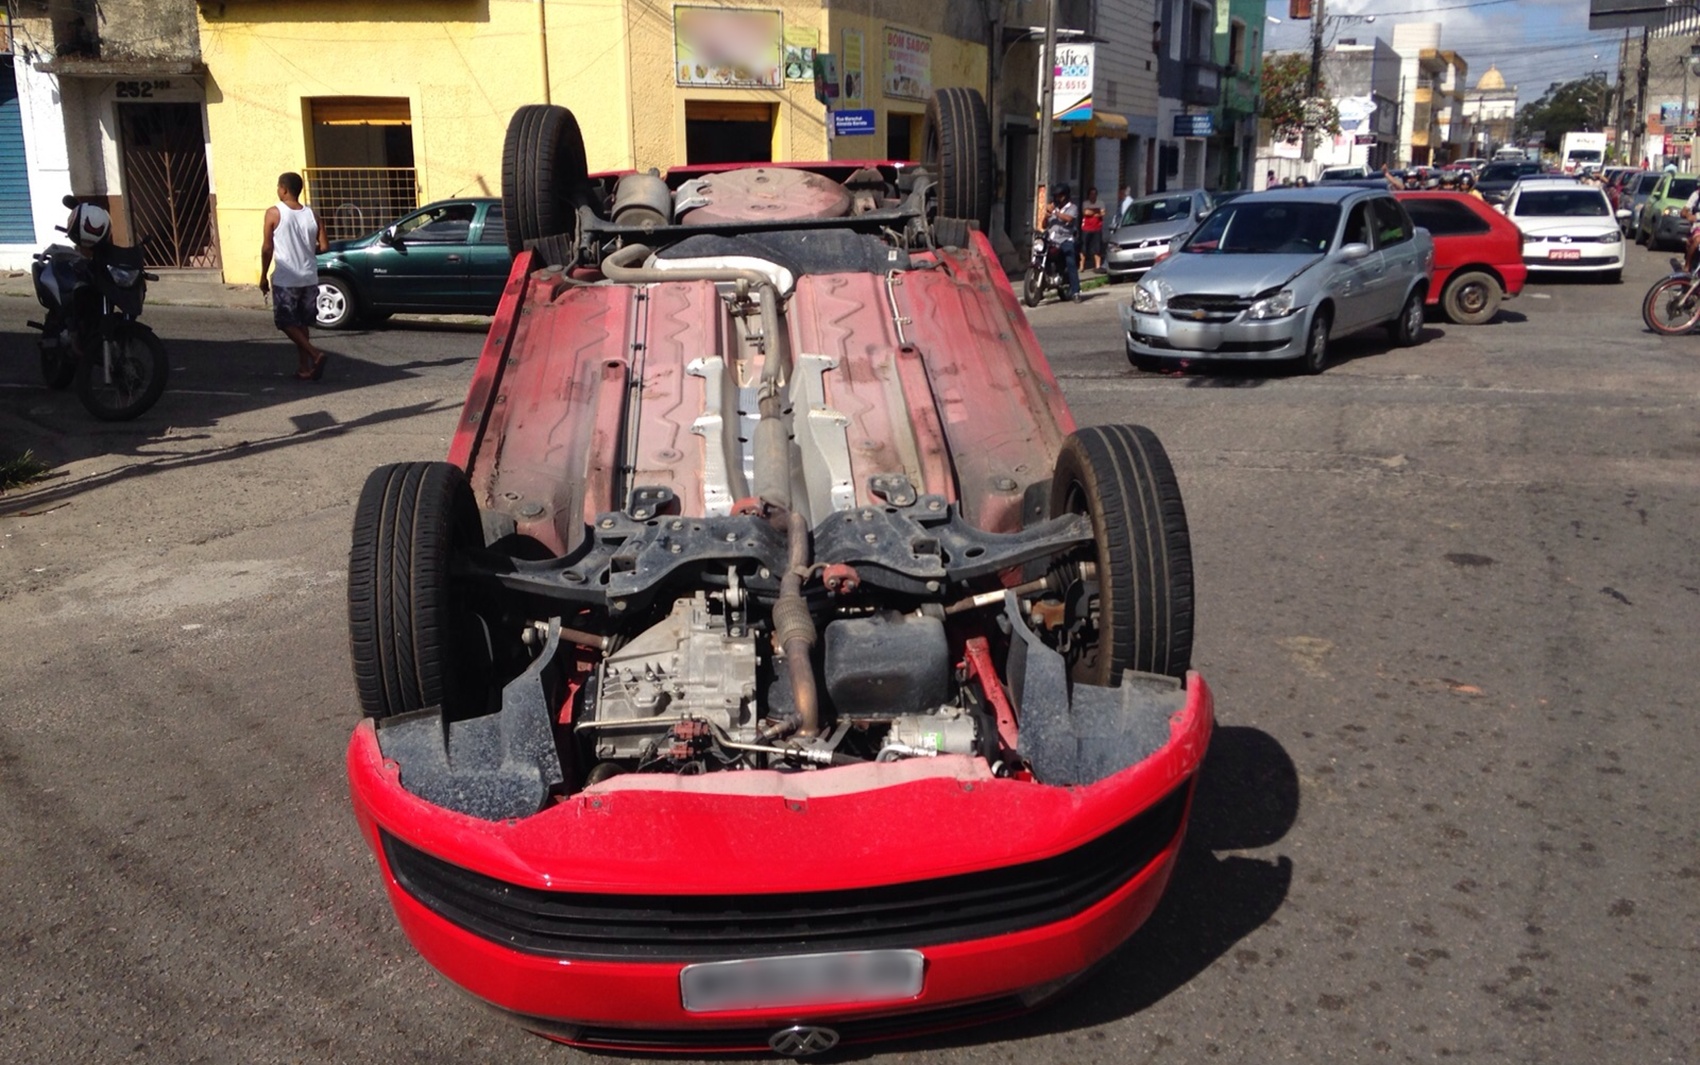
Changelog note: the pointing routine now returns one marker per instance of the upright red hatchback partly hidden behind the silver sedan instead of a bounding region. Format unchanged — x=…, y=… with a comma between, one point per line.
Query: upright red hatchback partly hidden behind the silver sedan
x=1478, y=254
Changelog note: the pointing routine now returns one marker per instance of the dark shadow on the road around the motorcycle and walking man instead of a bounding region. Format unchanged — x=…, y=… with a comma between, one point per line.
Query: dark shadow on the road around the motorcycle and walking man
x=212, y=382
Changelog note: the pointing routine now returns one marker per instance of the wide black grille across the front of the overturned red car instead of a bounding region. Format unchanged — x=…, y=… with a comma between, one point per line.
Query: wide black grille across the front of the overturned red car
x=584, y=925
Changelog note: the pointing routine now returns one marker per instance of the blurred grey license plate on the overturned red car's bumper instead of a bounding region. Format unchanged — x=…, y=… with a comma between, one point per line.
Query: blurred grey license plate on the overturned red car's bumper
x=802, y=981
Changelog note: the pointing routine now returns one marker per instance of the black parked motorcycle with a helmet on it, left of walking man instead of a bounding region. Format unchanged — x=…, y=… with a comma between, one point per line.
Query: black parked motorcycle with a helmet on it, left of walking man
x=93, y=292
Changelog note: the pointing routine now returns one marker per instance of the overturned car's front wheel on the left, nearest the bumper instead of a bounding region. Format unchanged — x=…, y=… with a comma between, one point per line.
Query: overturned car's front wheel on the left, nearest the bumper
x=412, y=635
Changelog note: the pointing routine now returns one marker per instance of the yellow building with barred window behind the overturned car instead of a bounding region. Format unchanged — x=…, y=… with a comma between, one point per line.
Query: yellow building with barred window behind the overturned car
x=385, y=106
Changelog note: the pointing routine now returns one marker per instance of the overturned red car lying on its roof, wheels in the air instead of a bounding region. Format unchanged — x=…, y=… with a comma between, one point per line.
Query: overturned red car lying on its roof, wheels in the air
x=773, y=664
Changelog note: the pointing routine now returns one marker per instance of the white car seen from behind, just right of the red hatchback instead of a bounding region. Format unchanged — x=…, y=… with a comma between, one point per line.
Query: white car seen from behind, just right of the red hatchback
x=1567, y=227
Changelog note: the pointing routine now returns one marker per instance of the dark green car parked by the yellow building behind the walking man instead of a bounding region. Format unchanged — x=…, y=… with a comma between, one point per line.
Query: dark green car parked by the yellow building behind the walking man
x=450, y=258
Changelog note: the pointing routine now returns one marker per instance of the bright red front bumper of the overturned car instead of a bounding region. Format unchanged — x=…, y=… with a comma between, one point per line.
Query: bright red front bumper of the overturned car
x=781, y=836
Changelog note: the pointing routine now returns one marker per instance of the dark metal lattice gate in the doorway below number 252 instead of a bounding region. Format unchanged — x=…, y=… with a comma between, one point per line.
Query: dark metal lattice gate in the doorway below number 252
x=166, y=185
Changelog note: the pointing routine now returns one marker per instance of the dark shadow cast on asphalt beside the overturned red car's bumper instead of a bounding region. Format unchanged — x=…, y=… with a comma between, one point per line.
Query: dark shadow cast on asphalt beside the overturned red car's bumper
x=1249, y=797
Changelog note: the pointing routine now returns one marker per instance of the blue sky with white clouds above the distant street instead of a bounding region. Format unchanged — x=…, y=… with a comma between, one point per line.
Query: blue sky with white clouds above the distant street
x=1533, y=42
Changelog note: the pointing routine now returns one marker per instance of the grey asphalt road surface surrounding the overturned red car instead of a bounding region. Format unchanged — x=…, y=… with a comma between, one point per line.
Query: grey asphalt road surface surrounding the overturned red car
x=1448, y=603
